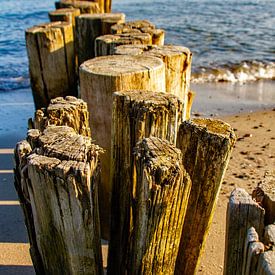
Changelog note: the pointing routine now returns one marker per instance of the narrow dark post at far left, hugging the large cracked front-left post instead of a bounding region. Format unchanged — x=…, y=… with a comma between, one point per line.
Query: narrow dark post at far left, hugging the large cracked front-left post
x=22, y=150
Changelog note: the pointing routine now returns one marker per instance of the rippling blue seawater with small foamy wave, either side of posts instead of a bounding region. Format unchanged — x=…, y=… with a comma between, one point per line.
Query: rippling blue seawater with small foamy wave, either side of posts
x=231, y=40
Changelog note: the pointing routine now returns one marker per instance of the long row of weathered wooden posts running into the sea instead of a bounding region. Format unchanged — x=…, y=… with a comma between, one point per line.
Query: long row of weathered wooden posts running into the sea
x=127, y=165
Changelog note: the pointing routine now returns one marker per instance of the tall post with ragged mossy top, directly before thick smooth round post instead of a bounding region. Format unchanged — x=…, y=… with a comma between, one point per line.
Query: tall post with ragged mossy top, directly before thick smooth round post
x=136, y=114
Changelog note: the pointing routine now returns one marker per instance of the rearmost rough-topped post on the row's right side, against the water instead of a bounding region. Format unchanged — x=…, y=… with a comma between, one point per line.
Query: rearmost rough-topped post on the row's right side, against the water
x=141, y=26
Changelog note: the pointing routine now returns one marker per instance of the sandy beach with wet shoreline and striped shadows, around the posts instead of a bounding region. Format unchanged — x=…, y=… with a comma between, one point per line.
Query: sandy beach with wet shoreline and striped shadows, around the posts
x=248, y=108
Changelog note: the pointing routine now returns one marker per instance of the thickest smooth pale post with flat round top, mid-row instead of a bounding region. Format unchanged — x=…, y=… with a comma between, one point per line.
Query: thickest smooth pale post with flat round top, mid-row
x=99, y=78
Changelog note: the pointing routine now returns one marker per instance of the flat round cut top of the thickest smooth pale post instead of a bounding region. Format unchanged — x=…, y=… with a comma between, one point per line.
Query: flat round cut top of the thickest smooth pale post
x=116, y=65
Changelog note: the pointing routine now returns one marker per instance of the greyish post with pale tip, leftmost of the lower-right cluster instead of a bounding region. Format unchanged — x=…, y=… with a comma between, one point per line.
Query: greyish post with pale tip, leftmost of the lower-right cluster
x=242, y=213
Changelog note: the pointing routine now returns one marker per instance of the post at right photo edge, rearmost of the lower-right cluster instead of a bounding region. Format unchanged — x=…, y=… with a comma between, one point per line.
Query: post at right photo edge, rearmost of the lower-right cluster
x=265, y=194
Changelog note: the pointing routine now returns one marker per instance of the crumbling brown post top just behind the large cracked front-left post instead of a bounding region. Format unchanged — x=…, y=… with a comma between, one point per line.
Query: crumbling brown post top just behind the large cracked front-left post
x=68, y=111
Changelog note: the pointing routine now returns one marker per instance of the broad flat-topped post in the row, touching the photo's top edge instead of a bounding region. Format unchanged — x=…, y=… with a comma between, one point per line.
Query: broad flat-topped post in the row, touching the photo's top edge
x=84, y=6
